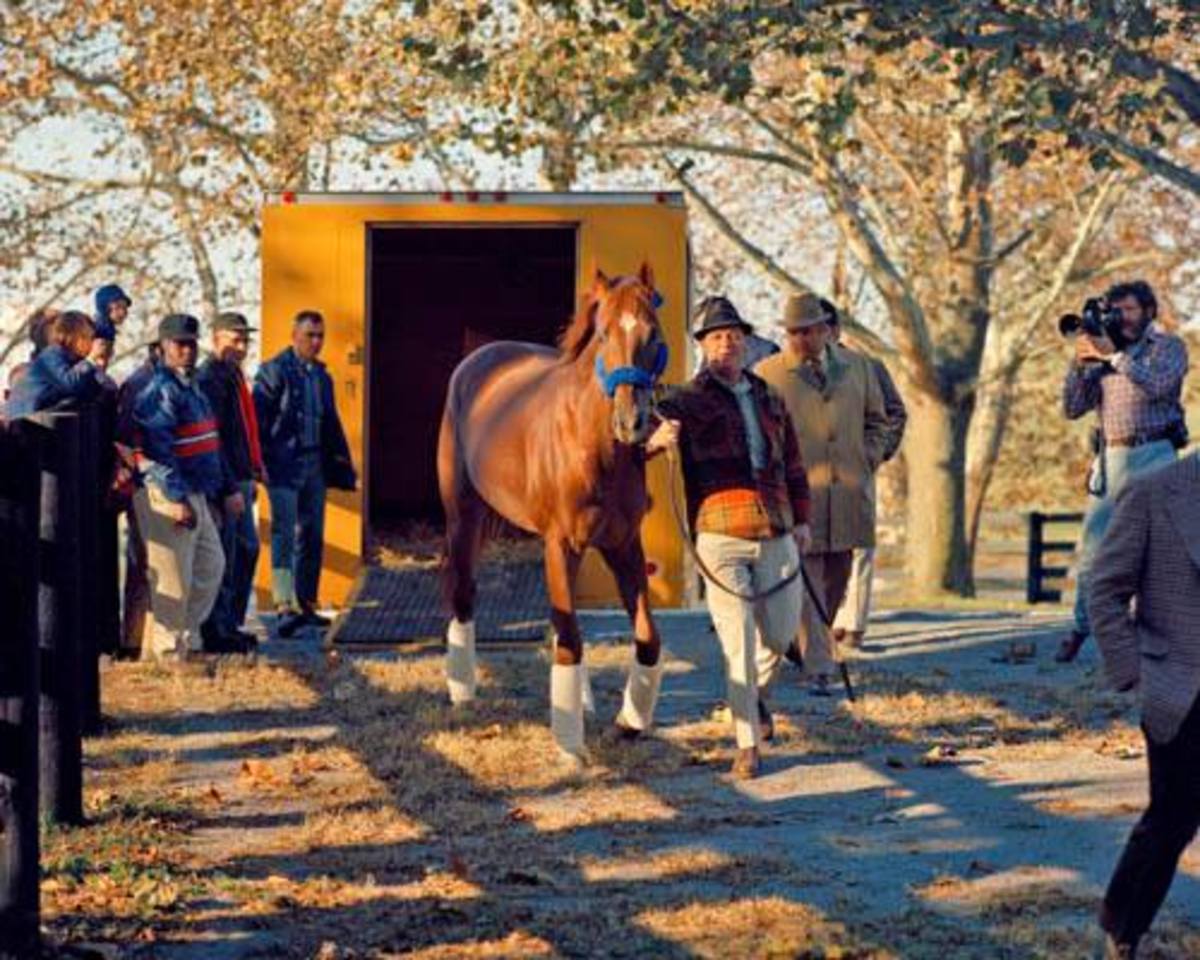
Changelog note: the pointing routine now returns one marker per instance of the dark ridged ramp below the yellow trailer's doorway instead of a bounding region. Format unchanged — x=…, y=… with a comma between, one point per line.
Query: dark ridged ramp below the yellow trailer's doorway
x=393, y=605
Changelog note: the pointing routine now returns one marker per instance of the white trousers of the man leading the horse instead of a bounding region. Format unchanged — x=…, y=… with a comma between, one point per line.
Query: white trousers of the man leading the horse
x=753, y=637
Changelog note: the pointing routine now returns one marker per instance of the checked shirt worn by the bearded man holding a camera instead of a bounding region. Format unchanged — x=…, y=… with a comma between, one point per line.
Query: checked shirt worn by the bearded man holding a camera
x=1137, y=394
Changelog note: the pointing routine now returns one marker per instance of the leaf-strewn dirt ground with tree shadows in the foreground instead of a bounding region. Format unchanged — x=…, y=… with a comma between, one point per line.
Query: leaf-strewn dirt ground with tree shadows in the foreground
x=968, y=806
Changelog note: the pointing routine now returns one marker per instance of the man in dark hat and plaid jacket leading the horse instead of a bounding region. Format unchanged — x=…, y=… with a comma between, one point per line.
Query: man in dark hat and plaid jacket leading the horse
x=748, y=502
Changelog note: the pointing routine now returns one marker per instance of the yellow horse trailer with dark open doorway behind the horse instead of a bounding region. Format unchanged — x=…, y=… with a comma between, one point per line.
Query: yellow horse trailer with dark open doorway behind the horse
x=410, y=285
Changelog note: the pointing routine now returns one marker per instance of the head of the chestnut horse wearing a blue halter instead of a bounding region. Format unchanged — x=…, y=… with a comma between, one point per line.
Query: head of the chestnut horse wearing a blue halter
x=632, y=353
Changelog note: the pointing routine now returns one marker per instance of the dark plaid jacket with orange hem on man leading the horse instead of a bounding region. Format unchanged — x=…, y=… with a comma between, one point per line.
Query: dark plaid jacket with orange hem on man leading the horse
x=725, y=494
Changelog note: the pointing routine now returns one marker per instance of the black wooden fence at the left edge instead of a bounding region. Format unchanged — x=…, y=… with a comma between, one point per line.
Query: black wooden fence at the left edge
x=58, y=565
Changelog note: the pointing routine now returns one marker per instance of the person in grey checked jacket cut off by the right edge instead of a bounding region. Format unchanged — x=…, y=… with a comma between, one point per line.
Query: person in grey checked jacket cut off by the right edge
x=1144, y=603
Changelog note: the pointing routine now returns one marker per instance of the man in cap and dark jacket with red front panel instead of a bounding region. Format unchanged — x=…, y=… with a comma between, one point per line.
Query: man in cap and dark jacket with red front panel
x=224, y=383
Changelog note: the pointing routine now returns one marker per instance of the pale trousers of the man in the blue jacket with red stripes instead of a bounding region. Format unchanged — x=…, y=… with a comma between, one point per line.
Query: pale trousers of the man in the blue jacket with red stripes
x=184, y=567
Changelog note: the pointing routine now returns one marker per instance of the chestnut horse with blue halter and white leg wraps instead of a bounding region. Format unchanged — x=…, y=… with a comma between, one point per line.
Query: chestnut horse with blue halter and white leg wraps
x=550, y=440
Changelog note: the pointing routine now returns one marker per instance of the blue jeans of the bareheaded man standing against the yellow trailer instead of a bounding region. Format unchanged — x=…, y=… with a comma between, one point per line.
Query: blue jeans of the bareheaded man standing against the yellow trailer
x=298, y=536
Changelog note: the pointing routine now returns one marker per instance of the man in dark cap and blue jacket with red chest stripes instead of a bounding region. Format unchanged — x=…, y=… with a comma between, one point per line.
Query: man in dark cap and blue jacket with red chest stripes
x=181, y=440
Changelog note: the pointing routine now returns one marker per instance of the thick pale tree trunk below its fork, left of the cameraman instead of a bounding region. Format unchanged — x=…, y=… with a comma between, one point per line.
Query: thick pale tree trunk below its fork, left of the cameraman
x=937, y=553
